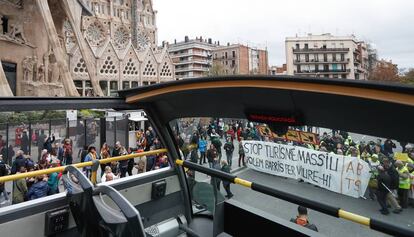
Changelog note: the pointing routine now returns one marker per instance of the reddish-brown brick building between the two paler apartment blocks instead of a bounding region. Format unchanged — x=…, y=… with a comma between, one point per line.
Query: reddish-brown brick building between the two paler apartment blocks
x=239, y=59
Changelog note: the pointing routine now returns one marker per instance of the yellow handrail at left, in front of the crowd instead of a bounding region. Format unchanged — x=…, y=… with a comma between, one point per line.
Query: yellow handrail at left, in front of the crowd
x=14, y=177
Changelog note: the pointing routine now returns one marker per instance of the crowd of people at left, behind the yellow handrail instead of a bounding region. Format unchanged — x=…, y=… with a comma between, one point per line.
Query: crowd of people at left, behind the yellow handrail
x=55, y=154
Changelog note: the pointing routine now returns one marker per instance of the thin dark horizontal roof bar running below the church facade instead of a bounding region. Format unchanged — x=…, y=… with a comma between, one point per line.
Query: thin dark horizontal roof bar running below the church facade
x=61, y=103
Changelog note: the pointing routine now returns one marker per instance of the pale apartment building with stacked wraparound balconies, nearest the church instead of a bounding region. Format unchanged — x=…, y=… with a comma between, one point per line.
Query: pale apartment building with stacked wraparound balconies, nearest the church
x=192, y=57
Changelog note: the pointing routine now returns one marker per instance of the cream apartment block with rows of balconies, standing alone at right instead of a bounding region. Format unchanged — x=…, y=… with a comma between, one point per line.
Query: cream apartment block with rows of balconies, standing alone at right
x=327, y=56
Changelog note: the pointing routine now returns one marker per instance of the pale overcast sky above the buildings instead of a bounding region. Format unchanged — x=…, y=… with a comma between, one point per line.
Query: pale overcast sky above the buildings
x=388, y=24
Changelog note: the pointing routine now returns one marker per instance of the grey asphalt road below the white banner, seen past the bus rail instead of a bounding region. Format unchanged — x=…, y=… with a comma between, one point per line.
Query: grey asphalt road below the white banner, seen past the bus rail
x=329, y=226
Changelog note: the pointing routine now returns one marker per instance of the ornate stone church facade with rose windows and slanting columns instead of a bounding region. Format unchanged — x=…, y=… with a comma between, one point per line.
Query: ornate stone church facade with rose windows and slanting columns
x=79, y=47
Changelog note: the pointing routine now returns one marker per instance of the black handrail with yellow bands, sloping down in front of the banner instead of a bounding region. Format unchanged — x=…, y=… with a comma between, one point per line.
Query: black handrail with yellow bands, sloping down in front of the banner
x=372, y=223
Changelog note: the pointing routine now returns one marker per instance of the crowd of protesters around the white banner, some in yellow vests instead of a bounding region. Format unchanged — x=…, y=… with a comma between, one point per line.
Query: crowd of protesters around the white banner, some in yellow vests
x=391, y=183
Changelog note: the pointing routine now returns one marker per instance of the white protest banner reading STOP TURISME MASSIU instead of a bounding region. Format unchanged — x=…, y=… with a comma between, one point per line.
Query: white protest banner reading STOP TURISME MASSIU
x=342, y=174
